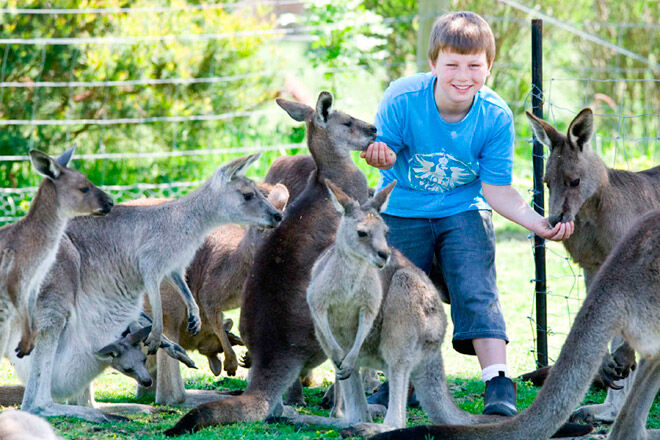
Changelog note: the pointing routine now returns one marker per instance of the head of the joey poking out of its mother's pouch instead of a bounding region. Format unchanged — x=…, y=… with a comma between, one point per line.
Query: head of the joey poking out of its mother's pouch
x=125, y=355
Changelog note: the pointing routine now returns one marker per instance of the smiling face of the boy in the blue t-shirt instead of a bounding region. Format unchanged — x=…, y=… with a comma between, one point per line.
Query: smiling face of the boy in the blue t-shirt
x=459, y=77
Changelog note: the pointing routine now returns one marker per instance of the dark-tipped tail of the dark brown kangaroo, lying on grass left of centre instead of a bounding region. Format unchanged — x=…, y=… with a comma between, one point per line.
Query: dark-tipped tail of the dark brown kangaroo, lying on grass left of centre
x=243, y=408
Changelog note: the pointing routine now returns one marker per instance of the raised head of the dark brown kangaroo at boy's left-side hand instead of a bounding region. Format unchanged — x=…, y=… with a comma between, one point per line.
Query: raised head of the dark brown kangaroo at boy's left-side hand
x=329, y=129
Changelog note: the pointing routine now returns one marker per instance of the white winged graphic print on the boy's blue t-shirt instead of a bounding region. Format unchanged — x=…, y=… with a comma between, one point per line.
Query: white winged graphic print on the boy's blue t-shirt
x=440, y=172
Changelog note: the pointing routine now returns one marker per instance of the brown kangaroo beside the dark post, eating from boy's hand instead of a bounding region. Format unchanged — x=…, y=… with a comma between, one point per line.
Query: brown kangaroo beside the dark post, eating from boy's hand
x=604, y=203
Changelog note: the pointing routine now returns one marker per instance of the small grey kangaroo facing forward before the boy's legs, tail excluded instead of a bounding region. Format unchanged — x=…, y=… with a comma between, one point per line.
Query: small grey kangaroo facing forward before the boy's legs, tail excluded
x=346, y=294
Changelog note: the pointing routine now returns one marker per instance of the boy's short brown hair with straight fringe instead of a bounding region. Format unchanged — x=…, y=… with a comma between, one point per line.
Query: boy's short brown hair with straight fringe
x=462, y=32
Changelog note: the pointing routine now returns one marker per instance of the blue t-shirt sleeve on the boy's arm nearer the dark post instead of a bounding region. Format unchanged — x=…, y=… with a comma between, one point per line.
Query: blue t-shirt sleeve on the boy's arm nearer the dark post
x=496, y=158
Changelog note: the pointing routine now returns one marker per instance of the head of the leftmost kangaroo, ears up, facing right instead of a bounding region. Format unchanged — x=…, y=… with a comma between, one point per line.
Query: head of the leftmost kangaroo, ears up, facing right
x=74, y=192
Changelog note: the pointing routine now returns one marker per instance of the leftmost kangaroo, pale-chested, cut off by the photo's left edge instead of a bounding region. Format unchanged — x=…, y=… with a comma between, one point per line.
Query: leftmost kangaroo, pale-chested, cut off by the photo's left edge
x=63, y=194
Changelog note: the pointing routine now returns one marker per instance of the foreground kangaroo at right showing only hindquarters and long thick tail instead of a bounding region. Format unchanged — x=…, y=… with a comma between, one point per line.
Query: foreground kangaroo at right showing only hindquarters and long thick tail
x=624, y=298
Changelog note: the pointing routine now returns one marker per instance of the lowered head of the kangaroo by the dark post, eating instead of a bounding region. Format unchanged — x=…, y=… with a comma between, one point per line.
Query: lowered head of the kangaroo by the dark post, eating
x=570, y=173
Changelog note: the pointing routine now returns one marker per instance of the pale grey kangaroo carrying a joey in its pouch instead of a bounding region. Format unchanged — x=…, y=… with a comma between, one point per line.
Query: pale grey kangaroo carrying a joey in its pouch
x=96, y=286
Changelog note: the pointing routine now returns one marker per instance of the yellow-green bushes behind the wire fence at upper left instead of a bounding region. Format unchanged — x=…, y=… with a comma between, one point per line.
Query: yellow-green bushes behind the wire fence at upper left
x=166, y=59
